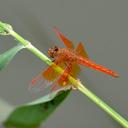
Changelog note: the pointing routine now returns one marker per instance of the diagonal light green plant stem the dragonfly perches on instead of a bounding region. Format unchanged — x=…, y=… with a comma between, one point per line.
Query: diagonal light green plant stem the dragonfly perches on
x=75, y=82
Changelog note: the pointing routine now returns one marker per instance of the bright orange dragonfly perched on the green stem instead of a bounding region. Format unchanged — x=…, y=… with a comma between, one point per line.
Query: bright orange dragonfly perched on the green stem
x=69, y=59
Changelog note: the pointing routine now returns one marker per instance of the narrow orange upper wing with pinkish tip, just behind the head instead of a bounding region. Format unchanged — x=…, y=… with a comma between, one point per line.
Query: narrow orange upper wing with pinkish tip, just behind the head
x=65, y=40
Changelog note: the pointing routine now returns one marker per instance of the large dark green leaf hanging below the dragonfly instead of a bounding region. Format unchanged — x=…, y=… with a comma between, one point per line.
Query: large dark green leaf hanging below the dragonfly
x=35, y=113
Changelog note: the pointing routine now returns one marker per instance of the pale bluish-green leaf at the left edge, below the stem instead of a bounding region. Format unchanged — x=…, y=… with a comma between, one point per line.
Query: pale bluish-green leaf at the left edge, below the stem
x=6, y=57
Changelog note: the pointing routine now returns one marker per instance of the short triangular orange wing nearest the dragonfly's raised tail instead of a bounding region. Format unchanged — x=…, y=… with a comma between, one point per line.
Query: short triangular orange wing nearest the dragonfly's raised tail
x=81, y=50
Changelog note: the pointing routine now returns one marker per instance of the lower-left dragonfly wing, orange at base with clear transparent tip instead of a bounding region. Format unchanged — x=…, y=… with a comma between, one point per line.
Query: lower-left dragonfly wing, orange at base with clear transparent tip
x=47, y=77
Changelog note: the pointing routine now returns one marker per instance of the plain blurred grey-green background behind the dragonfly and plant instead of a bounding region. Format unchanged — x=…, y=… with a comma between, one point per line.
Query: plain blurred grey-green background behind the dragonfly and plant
x=100, y=24
